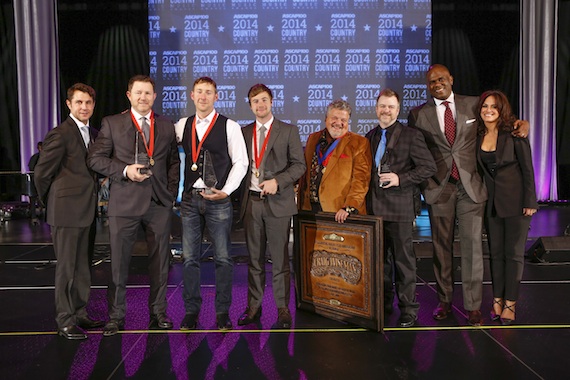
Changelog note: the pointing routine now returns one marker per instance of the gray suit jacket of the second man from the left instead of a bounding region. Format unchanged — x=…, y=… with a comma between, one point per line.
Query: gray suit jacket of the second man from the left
x=114, y=149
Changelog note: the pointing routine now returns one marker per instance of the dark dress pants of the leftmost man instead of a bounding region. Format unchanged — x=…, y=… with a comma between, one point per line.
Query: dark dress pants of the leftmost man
x=72, y=273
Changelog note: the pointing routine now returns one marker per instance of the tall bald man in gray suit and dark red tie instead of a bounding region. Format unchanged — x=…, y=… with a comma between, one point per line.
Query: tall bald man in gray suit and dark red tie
x=447, y=121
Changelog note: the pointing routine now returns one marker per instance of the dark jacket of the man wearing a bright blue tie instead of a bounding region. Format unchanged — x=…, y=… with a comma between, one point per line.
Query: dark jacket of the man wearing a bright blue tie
x=411, y=160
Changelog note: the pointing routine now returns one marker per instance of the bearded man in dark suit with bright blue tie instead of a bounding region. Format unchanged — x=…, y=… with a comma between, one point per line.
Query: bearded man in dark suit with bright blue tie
x=403, y=154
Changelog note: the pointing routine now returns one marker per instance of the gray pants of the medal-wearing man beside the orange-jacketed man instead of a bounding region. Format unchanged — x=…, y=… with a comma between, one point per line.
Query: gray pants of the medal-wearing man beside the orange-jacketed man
x=263, y=229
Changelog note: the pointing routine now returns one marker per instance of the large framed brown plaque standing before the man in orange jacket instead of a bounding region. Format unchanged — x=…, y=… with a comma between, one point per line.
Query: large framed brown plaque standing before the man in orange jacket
x=339, y=267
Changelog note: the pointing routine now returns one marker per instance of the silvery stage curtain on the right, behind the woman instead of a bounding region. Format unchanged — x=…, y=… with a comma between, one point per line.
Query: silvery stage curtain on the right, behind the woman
x=539, y=23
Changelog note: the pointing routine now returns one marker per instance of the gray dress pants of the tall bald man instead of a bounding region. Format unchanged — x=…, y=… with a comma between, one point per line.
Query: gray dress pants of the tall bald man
x=454, y=203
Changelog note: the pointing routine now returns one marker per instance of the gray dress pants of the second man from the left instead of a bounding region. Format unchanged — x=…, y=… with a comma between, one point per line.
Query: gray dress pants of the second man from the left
x=156, y=223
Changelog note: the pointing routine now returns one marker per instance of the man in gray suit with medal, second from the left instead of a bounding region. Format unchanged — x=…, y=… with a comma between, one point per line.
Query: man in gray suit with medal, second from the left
x=142, y=192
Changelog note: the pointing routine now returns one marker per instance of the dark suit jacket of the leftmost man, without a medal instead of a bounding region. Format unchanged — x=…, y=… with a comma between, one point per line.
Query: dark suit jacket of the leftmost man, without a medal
x=63, y=180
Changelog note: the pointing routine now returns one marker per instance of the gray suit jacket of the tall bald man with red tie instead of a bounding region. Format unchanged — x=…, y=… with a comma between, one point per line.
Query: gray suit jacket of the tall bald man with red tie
x=424, y=118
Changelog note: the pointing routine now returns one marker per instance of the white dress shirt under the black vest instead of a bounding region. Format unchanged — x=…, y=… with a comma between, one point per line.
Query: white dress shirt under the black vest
x=236, y=150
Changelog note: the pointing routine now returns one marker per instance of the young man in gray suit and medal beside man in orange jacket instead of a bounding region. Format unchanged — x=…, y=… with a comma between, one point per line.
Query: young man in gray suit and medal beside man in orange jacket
x=268, y=201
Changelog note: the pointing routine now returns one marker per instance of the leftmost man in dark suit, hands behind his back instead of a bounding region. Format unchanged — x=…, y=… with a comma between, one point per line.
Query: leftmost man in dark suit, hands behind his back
x=69, y=188
